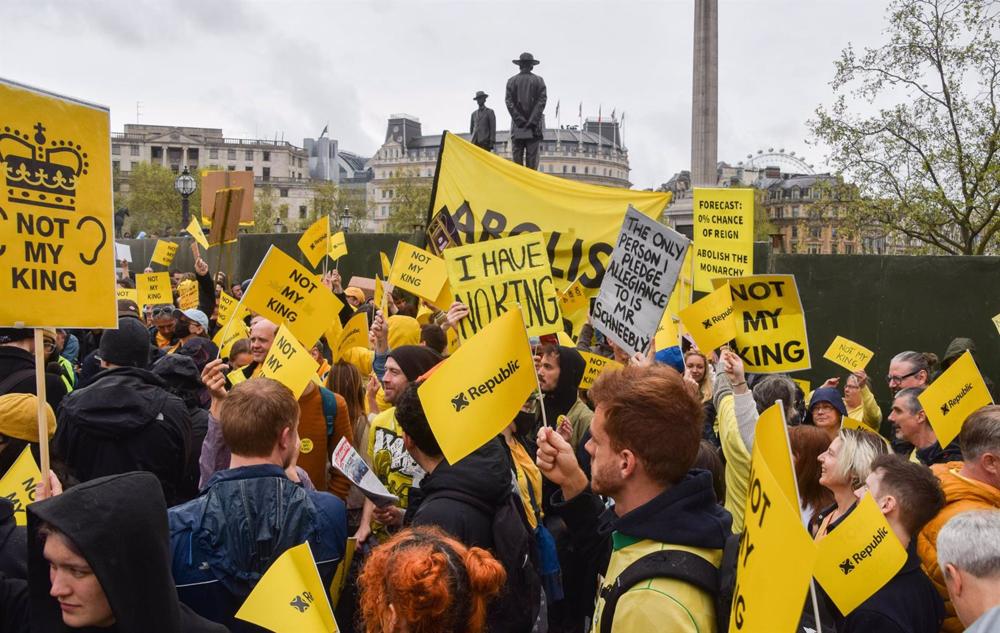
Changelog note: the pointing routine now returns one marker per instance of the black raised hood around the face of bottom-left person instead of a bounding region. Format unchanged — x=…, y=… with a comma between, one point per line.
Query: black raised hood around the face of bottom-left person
x=119, y=524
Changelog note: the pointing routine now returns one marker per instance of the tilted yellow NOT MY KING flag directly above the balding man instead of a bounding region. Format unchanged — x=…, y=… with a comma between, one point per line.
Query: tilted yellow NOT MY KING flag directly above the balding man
x=283, y=291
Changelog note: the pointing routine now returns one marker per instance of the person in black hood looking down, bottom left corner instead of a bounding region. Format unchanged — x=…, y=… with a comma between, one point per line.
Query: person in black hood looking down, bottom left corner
x=110, y=575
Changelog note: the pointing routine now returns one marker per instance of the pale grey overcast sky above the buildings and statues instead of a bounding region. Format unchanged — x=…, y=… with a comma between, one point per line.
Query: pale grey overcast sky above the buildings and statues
x=260, y=68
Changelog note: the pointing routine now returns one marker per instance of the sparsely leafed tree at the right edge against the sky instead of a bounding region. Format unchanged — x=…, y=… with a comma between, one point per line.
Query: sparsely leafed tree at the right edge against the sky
x=927, y=166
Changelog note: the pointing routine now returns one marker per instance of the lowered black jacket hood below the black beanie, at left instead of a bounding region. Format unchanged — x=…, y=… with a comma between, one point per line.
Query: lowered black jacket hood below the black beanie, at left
x=120, y=402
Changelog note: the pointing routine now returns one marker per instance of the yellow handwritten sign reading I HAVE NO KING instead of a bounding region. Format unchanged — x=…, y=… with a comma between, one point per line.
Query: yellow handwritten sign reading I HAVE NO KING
x=494, y=277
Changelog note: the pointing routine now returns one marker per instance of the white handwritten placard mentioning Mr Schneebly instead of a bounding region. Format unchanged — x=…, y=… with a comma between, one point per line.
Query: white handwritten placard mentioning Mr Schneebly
x=640, y=277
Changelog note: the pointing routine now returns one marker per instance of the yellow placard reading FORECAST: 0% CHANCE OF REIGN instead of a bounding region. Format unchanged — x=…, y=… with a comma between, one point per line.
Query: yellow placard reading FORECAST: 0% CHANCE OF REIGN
x=723, y=234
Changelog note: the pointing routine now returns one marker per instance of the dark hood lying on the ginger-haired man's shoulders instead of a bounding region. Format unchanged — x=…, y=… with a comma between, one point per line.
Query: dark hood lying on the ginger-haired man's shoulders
x=686, y=514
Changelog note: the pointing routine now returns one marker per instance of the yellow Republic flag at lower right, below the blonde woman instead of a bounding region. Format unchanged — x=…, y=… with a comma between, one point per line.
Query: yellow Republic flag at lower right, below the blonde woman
x=859, y=557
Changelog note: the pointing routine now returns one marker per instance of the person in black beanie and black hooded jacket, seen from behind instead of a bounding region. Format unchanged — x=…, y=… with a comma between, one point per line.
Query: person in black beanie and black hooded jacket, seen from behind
x=126, y=420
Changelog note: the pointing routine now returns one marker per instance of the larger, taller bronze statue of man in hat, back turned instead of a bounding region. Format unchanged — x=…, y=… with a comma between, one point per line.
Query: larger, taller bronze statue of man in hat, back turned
x=526, y=104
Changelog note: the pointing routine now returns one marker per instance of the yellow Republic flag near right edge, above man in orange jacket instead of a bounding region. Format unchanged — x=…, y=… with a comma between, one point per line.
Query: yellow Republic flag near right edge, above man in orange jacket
x=953, y=396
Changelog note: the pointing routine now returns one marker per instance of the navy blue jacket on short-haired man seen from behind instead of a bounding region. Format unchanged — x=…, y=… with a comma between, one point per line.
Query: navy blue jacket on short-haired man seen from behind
x=223, y=541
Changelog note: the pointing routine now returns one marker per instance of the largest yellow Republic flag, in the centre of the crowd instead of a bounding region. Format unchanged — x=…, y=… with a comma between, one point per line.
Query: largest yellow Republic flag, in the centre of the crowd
x=477, y=392
